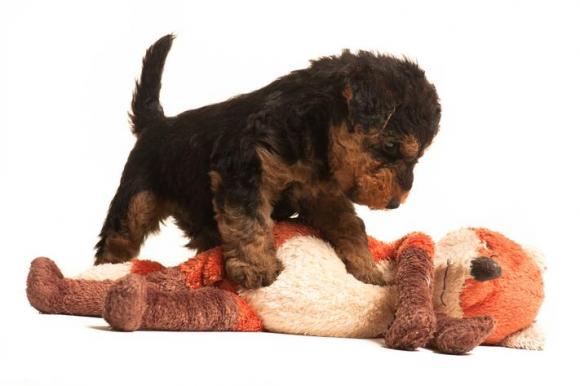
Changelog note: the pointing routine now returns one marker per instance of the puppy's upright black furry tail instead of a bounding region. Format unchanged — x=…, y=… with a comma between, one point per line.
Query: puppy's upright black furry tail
x=146, y=109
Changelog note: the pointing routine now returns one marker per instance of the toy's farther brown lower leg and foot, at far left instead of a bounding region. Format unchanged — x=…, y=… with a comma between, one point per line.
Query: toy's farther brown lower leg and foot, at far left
x=50, y=292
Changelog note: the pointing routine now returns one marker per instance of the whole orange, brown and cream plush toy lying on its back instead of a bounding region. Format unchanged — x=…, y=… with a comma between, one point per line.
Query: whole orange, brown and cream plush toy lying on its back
x=475, y=286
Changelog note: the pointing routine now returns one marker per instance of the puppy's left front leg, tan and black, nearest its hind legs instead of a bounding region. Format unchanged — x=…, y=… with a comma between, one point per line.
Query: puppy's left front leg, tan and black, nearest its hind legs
x=245, y=225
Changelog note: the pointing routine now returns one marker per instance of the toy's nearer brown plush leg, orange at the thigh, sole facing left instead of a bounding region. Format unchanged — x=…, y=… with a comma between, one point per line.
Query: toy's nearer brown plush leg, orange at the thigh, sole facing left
x=162, y=301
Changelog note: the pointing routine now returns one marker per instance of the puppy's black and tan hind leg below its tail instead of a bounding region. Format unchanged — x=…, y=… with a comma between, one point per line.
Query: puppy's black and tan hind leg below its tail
x=135, y=212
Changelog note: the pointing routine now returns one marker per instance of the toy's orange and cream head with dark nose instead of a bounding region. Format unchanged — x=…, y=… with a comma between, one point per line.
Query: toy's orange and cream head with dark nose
x=480, y=272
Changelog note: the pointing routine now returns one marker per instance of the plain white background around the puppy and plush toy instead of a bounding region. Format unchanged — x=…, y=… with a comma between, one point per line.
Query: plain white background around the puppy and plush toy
x=506, y=158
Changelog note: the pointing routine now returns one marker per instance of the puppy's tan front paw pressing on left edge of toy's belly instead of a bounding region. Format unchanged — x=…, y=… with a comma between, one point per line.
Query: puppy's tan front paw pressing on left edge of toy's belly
x=253, y=275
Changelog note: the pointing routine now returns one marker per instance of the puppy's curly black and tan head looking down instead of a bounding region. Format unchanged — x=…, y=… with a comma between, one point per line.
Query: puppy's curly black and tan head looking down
x=392, y=115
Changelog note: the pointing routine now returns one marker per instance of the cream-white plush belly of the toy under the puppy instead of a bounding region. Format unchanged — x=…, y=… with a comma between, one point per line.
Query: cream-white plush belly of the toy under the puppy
x=315, y=295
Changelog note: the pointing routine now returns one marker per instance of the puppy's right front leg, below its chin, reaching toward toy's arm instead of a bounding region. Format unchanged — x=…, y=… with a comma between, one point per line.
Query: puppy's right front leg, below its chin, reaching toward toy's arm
x=334, y=216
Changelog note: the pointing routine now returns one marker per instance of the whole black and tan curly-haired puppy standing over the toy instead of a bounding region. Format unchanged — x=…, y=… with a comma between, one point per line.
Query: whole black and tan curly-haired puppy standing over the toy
x=349, y=128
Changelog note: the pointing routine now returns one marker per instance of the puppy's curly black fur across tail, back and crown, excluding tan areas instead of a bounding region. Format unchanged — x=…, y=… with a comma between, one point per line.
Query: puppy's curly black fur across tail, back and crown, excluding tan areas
x=291, y=117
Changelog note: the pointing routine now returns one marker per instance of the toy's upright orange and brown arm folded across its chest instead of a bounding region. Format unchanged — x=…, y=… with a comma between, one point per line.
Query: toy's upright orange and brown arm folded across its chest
x=414, y=321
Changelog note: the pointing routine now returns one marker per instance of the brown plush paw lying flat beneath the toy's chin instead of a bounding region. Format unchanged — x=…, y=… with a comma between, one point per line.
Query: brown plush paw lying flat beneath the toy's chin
x=460, y=335
